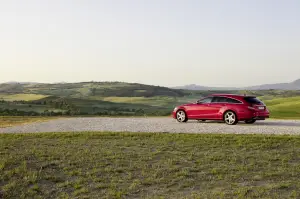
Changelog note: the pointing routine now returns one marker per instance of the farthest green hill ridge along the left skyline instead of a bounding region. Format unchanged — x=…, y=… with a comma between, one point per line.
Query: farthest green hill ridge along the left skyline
x=85, y=89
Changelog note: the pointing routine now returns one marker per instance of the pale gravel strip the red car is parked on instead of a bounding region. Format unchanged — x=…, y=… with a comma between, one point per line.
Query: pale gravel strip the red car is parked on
x=155, y=125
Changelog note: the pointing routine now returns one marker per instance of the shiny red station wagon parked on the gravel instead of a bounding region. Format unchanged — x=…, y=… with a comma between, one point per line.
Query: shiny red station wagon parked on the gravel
x=227, y=107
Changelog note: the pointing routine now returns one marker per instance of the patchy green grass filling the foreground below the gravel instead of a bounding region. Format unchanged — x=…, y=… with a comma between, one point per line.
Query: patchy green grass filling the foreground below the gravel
x=132, y=165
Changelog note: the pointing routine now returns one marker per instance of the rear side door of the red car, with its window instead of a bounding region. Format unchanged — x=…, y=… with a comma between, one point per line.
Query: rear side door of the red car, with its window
x=215, y=106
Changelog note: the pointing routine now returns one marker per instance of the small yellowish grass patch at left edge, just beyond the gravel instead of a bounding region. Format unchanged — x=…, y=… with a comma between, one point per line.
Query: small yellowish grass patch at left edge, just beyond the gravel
x=12, y=121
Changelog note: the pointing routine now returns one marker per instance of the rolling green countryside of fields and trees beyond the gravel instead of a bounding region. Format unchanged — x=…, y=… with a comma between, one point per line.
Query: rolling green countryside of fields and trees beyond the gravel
x=118, y=98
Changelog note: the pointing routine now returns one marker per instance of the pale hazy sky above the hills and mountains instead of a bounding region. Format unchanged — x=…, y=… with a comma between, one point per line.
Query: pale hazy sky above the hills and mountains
x=160, y=42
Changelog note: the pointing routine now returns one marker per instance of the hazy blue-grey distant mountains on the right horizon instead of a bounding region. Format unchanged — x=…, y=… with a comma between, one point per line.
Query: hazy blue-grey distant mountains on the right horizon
x=295, y=85
